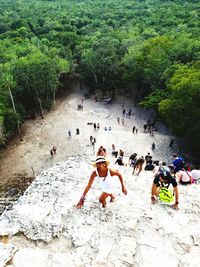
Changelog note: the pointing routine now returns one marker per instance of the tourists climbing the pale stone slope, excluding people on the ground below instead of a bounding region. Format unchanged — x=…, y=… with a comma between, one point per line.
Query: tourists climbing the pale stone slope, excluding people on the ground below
x=164, y=176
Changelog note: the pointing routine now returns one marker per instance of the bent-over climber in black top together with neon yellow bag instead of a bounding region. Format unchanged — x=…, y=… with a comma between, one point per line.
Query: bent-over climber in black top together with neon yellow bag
x=159, y=189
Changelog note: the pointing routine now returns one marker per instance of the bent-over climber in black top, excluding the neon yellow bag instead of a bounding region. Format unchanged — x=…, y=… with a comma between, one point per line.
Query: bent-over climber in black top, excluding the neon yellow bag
x=163, y=180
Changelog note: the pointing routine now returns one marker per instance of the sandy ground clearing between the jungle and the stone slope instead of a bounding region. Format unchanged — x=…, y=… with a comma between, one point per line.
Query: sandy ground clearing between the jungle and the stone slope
x=22, y=161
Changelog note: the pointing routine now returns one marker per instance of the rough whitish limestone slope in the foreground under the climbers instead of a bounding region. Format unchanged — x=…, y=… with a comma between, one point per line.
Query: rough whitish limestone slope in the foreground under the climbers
x=44, y=228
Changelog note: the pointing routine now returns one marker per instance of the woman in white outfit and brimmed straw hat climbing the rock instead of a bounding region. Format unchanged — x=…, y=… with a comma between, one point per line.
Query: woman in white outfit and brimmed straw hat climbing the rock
x=107, y=180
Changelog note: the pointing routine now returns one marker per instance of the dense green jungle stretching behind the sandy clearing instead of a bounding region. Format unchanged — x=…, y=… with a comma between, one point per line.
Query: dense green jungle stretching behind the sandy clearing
x=148, y=48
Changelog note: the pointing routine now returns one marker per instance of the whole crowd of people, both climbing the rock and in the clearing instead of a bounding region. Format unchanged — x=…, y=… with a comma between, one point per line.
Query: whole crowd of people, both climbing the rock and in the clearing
x=166, y=179
